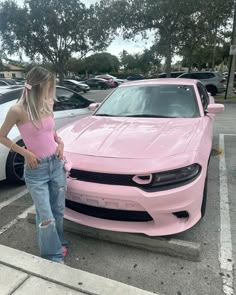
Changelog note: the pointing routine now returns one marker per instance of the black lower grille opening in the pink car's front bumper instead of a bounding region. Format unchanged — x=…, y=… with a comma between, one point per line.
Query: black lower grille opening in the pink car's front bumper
x=109, y=214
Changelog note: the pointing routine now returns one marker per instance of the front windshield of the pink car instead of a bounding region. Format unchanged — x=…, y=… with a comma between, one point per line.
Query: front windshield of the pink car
x=163, y=101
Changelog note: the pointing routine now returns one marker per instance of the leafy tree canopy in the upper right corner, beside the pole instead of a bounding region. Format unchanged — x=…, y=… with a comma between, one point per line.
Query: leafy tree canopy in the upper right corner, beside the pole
x=204, y=31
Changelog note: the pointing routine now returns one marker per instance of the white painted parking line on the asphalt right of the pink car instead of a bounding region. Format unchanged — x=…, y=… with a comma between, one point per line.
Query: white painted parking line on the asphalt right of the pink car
x=225, y=255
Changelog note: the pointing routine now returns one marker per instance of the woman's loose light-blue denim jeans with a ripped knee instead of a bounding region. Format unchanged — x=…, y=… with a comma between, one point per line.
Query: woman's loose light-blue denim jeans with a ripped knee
x=47, y=184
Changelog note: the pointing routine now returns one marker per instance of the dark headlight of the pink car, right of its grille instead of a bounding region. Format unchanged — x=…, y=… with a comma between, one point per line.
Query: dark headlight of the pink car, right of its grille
x=175, y=176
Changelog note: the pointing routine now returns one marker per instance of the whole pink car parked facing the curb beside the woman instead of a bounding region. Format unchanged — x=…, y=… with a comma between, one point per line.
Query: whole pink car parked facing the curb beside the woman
x=140, y=162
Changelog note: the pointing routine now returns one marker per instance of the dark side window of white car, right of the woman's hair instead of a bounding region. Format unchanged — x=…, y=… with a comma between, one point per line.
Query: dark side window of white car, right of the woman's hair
x=68, y=100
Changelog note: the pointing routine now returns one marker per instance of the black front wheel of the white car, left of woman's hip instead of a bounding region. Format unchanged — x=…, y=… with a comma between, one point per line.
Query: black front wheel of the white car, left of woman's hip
x=15, y=166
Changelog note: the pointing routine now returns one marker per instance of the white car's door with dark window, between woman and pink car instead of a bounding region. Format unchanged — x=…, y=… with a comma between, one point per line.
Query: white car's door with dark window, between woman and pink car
x=69, y=107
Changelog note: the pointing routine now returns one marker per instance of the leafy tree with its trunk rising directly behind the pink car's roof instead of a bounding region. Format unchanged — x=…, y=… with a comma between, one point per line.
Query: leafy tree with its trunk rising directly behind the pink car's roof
x=162, y=17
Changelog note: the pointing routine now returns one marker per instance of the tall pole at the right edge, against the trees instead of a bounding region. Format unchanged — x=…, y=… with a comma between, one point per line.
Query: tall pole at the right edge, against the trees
x=230, y=82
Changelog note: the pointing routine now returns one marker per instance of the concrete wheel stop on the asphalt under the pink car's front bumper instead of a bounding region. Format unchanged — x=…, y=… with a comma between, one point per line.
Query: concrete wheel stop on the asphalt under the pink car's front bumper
x=173, y=247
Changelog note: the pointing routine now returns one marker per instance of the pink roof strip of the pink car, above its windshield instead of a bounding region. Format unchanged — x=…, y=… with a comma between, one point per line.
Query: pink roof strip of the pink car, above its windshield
x=167, y=81
